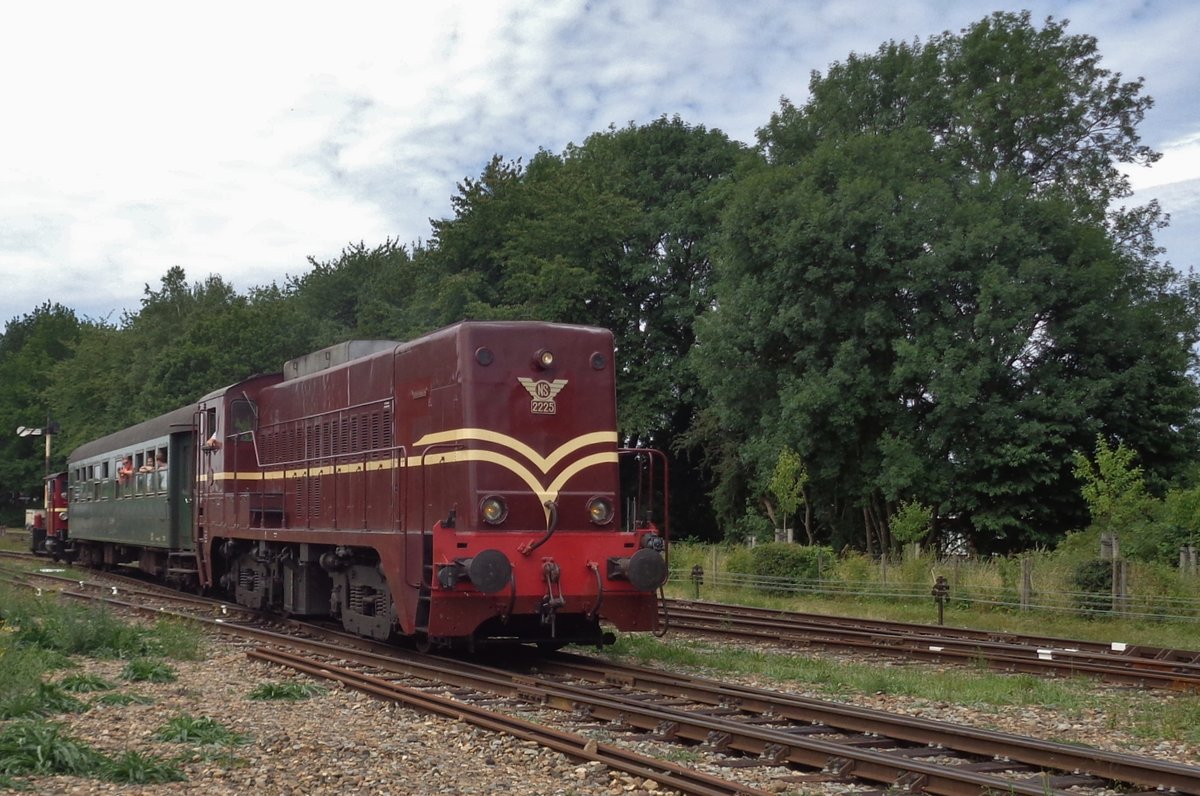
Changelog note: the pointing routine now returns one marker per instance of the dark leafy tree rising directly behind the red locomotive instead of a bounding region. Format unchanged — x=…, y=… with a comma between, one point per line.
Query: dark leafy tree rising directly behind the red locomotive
x=615, y=232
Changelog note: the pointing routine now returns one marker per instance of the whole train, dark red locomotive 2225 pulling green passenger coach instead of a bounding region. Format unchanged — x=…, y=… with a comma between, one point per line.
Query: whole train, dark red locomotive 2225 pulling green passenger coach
x=463, y=489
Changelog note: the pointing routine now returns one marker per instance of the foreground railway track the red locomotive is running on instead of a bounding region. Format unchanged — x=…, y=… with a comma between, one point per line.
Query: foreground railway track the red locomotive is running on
x=801, y=740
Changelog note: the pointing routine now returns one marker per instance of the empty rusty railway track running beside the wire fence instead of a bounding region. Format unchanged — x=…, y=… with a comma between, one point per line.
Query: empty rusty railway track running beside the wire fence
x=1118, y=663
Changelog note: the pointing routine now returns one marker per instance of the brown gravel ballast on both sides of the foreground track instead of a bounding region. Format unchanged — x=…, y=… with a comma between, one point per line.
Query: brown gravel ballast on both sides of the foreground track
x=345, y=743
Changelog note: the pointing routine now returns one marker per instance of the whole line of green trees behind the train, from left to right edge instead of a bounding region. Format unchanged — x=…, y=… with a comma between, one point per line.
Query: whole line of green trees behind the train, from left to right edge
x=925, y=286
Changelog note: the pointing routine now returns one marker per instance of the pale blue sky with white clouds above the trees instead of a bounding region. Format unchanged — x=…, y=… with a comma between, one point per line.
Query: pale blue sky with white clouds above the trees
x=245, y=139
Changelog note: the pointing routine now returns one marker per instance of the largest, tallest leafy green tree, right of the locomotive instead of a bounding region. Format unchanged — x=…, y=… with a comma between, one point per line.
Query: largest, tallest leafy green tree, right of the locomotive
x=928, y=294
